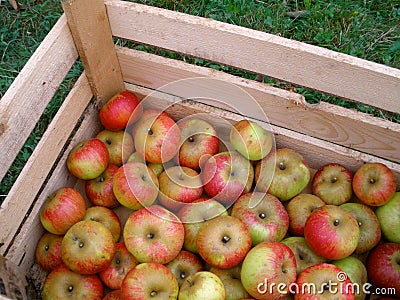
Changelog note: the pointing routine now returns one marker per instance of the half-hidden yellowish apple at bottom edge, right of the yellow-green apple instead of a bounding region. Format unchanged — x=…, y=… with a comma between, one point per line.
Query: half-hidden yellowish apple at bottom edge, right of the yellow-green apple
x=231, y=280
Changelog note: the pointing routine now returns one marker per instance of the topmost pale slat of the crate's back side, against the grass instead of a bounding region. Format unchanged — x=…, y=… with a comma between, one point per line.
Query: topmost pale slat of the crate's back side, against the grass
x=288, y=60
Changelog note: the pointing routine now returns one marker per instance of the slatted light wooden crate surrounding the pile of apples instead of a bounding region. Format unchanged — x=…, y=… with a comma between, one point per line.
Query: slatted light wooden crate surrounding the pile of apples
x=323, y=133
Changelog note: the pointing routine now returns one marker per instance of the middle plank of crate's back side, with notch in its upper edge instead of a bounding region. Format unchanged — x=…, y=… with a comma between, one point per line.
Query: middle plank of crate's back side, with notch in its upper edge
x=284, y=109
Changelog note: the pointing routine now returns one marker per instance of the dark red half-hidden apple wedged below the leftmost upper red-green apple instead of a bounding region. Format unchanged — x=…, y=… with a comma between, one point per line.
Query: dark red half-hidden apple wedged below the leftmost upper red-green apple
x=100, y=191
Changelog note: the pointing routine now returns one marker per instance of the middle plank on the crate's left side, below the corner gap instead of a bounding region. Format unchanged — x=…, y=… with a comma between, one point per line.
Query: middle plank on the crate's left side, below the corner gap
x=35, y=172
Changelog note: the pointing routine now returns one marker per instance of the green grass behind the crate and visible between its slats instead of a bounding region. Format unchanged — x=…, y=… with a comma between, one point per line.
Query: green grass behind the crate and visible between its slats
x=366, y=29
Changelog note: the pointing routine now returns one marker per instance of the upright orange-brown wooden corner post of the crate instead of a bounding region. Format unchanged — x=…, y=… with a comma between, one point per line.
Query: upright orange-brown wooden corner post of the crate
x=93, y=39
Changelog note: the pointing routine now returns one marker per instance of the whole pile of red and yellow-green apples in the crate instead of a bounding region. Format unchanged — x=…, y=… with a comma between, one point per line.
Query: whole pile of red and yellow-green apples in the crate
x=247, y=221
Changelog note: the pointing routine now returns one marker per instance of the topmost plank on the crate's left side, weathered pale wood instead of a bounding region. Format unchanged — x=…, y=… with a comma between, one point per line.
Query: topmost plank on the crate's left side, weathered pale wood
x=26, y=99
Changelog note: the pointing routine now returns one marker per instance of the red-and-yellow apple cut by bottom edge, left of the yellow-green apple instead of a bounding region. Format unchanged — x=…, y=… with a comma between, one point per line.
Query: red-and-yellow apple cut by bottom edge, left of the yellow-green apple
x=149, y=281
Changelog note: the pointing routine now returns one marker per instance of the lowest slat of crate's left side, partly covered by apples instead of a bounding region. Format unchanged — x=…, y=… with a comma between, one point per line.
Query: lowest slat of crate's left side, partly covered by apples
x=22, y=251
